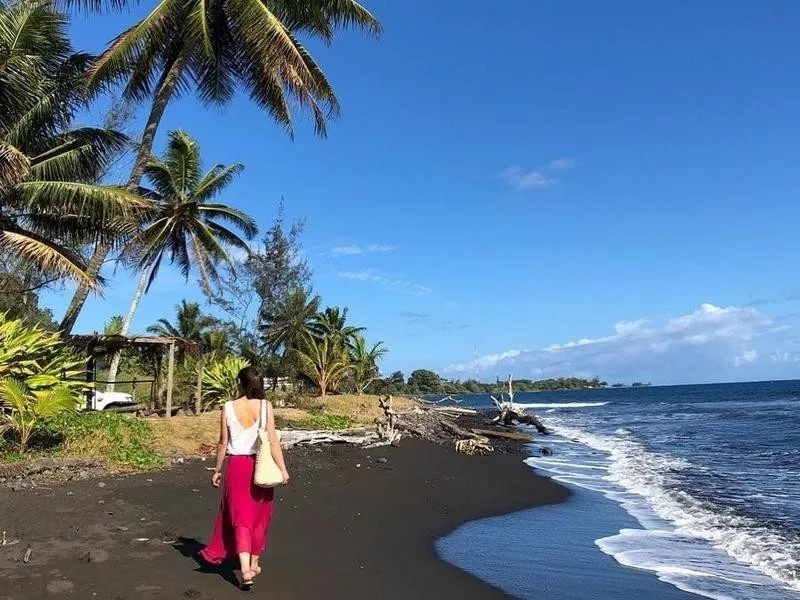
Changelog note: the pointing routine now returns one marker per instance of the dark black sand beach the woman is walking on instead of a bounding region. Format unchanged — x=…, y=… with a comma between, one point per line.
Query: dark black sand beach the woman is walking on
x=340, y=531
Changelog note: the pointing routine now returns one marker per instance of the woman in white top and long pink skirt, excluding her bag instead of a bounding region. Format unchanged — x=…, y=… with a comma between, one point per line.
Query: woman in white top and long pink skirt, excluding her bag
x=240, y=530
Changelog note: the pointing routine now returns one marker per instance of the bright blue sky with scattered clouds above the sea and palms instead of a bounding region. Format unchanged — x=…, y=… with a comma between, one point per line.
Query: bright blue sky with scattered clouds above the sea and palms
x=508, y=181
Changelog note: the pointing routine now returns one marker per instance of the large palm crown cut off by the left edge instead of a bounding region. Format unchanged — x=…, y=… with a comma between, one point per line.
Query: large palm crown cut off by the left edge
x=50, y=205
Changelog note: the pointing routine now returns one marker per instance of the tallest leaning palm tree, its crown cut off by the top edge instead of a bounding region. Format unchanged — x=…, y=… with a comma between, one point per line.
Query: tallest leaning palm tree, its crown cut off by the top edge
x=213, y=47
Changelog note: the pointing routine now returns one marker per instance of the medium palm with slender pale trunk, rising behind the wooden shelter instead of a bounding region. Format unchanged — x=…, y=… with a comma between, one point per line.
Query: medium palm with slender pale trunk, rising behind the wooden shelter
x=185, y=225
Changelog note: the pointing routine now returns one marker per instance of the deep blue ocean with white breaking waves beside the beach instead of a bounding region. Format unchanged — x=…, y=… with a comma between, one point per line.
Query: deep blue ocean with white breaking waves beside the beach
x=711, y=475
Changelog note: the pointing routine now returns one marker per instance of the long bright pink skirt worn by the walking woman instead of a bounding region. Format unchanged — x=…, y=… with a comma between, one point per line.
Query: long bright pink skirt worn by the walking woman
x=244, y=514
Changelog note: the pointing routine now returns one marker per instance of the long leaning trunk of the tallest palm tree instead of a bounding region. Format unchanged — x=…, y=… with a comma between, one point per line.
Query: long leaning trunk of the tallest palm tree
x=164, y=94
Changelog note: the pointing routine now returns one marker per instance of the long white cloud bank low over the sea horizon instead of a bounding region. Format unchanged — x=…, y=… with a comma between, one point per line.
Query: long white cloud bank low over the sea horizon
x=698, y=346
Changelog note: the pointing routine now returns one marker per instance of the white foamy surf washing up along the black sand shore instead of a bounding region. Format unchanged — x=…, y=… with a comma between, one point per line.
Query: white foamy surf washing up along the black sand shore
x=692, y=544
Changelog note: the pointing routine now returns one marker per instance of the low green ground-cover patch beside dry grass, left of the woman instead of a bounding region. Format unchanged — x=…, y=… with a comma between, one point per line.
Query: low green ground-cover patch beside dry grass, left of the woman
x=123, y=442
